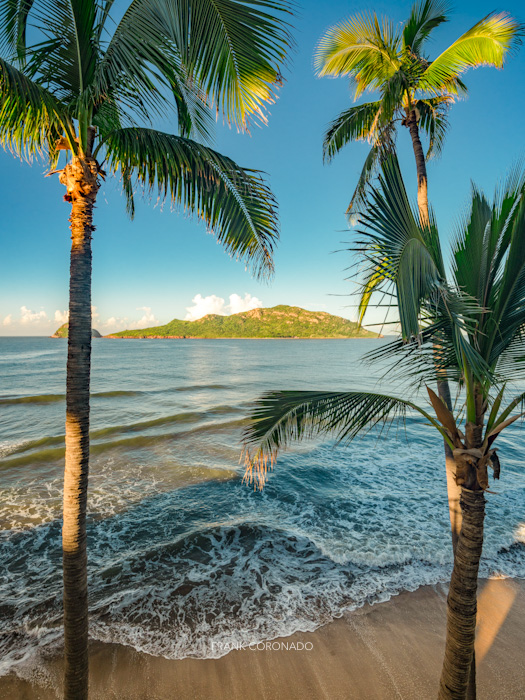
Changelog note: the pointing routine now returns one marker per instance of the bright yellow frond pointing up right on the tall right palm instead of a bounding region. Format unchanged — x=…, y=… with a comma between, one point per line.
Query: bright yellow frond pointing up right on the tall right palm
x=487, y=43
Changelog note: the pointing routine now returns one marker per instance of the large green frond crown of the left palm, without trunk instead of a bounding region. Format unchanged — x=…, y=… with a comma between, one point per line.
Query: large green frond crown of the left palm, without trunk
x=71, y=79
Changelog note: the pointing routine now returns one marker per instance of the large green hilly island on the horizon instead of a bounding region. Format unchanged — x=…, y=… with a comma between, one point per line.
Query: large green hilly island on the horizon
x=275, y=322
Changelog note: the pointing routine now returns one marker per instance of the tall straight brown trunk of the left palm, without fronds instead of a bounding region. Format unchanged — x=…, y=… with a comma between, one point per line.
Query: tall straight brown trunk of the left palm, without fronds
x=81, y=181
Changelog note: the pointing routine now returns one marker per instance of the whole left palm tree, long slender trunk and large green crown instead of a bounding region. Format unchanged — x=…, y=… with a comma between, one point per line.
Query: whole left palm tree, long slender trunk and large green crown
x=72, y=80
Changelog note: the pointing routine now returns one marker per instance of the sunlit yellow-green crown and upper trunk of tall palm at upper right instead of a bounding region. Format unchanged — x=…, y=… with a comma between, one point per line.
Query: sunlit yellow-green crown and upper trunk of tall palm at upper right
x=414, y=91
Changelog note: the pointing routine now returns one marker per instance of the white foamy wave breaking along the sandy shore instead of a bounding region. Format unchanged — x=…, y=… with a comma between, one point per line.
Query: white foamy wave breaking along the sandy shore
x=200, y=593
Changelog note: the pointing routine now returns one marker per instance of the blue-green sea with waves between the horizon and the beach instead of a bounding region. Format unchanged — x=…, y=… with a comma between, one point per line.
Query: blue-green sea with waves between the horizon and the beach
x=185, y=560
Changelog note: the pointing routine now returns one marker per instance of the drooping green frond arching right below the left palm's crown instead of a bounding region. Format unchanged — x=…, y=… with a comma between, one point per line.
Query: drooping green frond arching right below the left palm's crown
x=235, y=203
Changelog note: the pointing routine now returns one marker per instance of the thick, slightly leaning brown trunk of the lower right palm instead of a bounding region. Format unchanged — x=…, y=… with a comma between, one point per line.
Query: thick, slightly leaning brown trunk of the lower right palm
x=462, y=599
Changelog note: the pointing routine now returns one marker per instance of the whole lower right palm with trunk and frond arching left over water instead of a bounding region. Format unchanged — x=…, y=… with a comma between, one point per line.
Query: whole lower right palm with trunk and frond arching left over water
x=478, y=317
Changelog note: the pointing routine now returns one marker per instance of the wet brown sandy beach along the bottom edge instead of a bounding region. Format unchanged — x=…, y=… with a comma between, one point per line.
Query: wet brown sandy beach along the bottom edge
x=384, y=651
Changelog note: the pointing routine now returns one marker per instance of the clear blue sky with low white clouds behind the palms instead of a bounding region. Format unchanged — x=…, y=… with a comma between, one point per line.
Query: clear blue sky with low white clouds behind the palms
x=150, y=270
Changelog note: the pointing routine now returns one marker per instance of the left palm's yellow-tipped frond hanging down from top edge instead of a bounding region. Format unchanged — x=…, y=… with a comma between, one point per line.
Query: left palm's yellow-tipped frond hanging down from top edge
x=235, y=49
